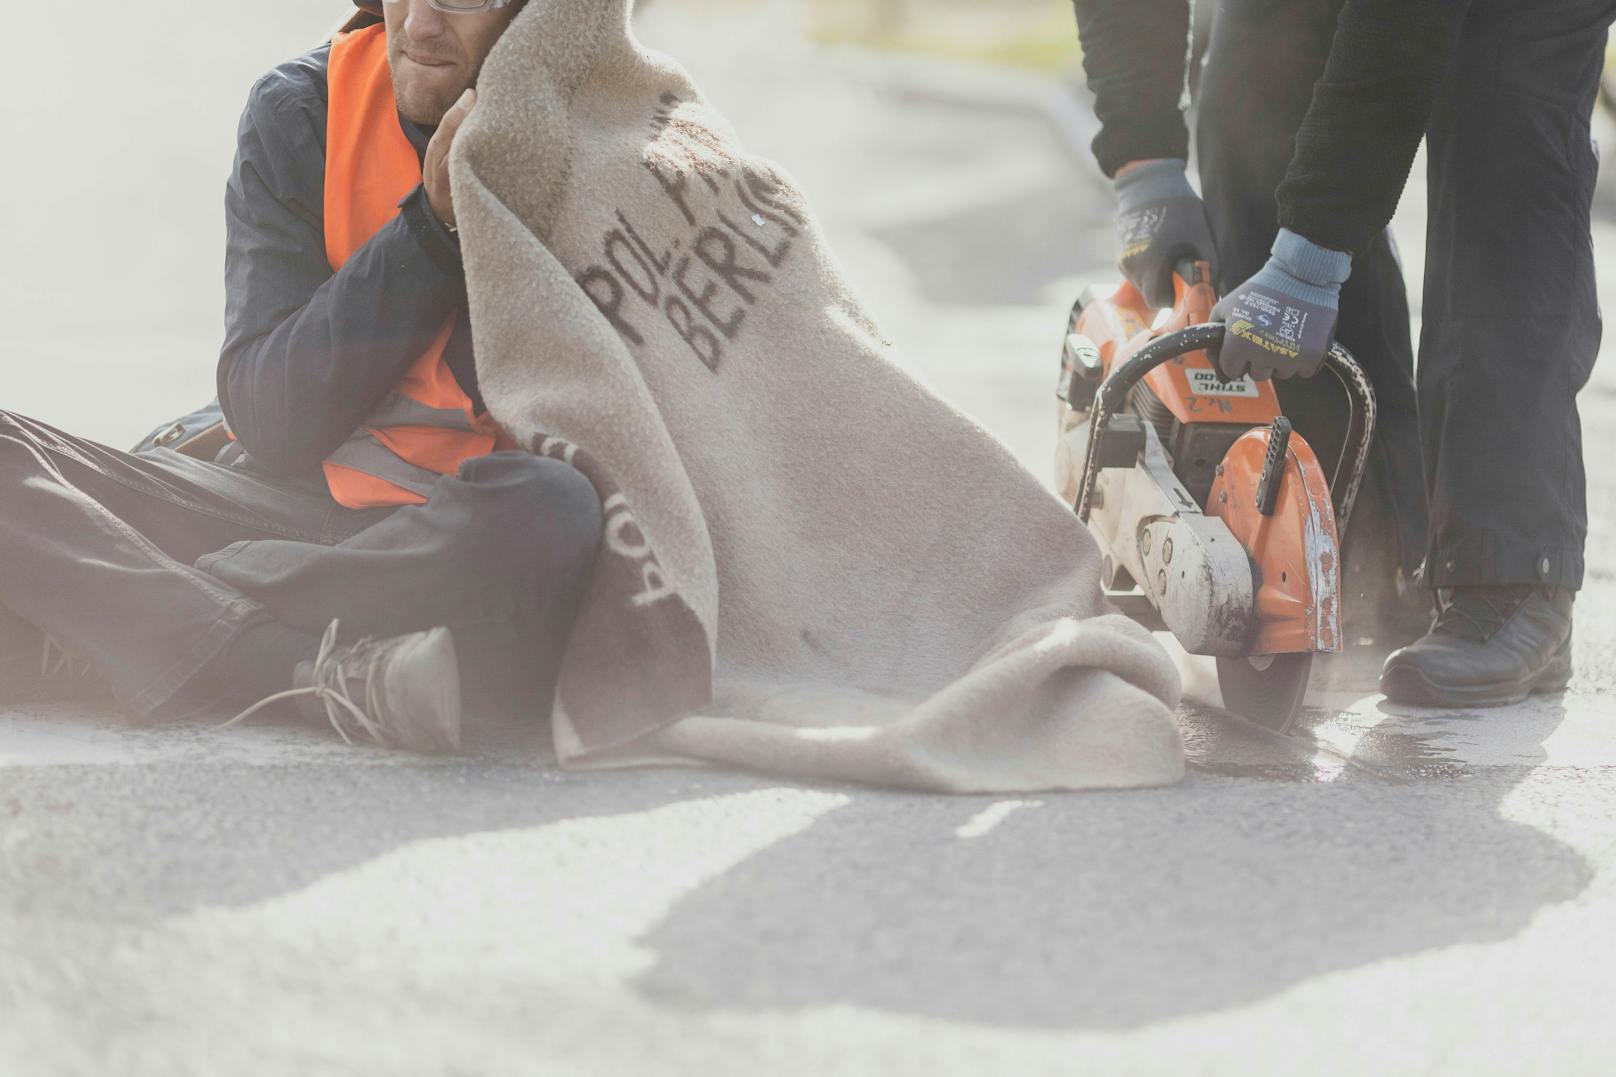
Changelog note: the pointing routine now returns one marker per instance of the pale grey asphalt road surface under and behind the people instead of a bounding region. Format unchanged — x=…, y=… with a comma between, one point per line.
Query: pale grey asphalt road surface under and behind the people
x=1389, y=892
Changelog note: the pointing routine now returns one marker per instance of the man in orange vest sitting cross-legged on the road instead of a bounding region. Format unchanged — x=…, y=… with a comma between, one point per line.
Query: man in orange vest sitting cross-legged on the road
x=366, y=544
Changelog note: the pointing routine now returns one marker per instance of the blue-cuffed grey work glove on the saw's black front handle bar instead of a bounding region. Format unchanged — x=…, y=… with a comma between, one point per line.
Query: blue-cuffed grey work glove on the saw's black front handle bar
x=1282, y=321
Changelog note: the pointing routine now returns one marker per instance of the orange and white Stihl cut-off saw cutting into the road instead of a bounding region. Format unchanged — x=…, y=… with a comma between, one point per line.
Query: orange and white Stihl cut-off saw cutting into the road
x=1214, y=517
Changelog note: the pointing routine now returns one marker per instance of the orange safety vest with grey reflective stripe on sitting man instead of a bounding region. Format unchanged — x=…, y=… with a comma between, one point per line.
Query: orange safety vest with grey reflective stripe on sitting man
x=427, y=426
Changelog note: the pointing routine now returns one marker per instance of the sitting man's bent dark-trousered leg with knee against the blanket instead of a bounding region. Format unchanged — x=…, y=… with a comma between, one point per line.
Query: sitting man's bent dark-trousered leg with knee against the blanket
x=500, y=554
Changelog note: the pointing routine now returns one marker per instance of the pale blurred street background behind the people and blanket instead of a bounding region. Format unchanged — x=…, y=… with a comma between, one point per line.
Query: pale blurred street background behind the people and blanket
x=943, y=143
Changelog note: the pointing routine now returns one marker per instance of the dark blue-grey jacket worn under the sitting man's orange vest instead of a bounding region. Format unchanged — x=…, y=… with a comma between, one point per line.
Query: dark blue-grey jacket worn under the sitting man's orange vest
x=309, y=353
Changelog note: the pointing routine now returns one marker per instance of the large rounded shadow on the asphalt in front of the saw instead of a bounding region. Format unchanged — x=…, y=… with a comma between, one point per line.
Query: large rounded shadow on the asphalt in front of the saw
x=1119, y=910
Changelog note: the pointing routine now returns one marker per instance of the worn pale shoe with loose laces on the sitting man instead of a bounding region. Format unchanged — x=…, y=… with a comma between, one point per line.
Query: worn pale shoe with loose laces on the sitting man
x=402, y=693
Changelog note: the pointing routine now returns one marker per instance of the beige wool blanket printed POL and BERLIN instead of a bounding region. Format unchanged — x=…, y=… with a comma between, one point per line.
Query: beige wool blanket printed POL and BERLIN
x=812, y=565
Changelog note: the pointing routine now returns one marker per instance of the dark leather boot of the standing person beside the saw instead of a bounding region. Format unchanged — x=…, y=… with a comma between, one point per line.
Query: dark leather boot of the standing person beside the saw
x=1489, y=646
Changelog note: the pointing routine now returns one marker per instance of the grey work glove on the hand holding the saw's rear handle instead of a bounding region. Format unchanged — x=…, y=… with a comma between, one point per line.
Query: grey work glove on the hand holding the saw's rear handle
x=1159, y=222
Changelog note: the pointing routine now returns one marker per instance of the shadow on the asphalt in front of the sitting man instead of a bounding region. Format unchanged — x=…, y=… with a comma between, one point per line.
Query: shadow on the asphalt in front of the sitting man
x=135, y=845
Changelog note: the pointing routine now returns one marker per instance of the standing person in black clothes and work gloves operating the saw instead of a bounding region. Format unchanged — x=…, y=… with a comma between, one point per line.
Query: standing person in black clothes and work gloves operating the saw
x=1328, y=103
